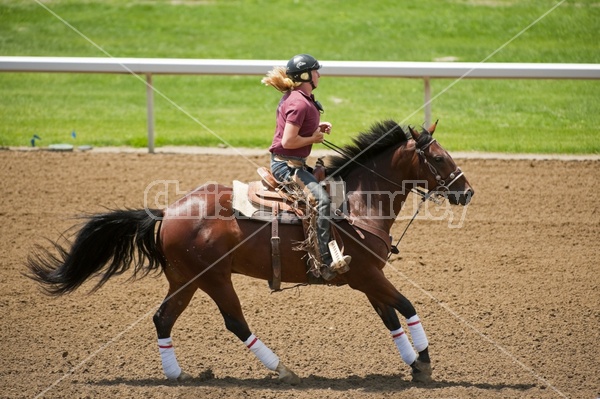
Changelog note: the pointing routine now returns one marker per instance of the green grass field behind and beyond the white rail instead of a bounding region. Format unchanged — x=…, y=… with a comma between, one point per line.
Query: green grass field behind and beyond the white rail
x=544, y=116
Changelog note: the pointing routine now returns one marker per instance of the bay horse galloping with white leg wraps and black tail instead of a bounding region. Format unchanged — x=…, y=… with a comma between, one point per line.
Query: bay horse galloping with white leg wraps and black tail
x=204, y=248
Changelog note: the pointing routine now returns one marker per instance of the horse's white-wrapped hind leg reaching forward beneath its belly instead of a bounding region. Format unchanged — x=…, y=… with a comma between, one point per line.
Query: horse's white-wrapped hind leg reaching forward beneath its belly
x=224, y=295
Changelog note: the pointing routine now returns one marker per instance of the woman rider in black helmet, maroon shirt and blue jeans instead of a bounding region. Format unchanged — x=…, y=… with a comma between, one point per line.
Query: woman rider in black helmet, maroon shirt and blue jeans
x=298, y=128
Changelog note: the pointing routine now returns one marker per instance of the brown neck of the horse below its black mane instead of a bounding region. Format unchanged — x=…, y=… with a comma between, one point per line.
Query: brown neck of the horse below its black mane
x=378, y=200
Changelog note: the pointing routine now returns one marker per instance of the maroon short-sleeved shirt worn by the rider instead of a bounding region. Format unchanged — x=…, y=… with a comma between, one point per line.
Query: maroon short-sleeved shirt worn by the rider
x=299, y=109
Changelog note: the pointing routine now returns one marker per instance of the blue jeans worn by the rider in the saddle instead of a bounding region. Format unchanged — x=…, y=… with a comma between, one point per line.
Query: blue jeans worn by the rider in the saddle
x=283, y=172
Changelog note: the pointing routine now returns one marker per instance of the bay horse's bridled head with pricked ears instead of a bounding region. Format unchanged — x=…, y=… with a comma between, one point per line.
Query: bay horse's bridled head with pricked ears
x=439, y=169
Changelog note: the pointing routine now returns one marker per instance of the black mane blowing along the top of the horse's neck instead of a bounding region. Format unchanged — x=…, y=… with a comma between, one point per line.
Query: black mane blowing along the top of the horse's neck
x=385, y=134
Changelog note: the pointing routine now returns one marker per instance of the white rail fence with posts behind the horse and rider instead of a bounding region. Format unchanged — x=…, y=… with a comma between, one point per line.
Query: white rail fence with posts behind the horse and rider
x=422, y=70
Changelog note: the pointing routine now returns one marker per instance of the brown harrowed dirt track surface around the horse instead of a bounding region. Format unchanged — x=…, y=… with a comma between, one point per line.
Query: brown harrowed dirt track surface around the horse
x=510, y=300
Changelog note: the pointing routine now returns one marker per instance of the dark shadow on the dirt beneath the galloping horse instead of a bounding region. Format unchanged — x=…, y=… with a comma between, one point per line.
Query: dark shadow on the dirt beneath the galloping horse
x=368, y=383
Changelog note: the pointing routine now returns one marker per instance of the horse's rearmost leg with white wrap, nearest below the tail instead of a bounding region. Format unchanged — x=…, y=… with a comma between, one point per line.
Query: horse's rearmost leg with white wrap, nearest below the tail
x=174, y=304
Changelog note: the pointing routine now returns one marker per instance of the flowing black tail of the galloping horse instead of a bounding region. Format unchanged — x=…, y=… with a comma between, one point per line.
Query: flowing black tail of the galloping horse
x=107, y=245
